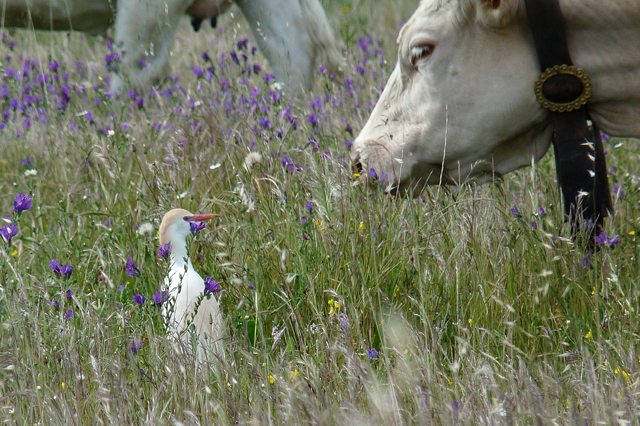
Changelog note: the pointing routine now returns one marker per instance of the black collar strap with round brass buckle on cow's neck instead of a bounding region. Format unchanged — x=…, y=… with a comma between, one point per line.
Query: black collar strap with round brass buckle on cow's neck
x=583, y=181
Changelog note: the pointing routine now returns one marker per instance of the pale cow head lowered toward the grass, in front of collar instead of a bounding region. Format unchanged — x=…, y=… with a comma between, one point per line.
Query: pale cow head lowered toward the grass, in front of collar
x=460, y=103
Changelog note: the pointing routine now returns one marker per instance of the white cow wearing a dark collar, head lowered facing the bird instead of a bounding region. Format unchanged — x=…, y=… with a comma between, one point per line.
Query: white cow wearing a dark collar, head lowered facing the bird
x=460, y=103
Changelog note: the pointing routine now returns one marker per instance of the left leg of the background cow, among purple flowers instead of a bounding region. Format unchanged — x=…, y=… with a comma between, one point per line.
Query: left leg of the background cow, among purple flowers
x=144, y=34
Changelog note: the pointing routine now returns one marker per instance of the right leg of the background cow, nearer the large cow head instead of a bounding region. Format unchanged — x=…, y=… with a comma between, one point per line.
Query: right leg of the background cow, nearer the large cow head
x=292, y=34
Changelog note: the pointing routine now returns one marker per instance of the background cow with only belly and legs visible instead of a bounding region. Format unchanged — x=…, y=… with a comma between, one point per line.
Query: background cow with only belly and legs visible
x=292, y=34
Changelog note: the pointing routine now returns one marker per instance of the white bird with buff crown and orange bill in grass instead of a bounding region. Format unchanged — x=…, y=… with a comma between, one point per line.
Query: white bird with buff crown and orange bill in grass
x=186, y=287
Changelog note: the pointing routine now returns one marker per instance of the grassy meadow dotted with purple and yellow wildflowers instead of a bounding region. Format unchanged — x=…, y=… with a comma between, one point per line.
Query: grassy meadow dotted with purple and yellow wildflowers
x=344, y=305
